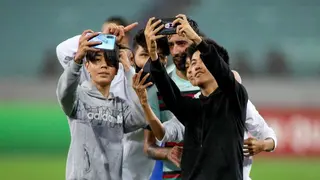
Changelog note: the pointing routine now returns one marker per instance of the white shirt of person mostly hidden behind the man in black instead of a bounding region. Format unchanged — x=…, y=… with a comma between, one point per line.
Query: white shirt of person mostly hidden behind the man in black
x=255, y=124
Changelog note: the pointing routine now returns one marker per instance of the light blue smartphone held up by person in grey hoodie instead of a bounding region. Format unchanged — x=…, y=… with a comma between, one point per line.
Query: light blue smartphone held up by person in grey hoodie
x=108, y=41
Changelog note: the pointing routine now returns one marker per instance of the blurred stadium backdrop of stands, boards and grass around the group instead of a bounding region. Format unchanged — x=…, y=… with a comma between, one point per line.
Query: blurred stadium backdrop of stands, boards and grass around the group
x=273, y=44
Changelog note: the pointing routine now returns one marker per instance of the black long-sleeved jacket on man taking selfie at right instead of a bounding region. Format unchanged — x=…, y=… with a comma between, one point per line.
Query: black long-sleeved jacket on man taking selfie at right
x=214, y=125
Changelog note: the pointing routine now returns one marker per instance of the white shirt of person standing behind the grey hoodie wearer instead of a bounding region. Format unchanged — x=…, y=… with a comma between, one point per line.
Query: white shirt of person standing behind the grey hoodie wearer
x=136, y=166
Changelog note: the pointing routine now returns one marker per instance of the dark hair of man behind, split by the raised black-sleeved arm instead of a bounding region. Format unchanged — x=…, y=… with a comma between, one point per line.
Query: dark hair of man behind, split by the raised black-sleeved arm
x=140, y=40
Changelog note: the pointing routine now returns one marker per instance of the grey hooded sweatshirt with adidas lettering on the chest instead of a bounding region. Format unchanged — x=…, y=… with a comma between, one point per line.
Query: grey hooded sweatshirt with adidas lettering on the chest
x=97, y=126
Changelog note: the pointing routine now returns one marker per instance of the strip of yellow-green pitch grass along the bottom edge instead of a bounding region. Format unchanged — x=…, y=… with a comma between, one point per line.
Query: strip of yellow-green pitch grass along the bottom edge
x=39, y=167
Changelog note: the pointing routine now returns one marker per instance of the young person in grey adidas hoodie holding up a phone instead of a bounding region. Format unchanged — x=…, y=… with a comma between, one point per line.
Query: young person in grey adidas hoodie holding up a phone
x=97, y=118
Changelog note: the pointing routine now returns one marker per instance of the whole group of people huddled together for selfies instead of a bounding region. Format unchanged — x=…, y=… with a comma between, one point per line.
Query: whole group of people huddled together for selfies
x=132, y=117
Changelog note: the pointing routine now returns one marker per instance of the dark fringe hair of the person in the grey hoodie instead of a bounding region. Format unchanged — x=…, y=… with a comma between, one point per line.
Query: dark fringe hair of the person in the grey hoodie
x=111, y=57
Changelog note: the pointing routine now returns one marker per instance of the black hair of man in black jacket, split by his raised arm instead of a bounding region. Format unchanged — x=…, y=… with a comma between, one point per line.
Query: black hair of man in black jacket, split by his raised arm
x=223, y=53
